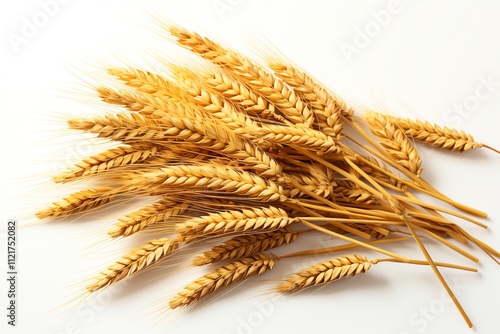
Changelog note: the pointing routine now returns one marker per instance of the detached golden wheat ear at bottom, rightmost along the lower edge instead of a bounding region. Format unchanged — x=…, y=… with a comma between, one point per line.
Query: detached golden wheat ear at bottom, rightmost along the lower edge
x=325, y=272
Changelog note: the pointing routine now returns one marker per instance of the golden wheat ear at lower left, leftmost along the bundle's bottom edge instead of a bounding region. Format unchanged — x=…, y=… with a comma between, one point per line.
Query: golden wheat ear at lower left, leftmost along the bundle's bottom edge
x=135, y=261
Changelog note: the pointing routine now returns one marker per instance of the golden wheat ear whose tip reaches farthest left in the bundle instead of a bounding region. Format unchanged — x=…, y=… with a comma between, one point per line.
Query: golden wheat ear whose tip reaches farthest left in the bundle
x=78, y=202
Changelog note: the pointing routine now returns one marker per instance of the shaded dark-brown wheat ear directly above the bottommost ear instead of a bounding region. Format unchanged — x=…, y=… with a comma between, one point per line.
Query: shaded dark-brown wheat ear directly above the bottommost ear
x=246, y=245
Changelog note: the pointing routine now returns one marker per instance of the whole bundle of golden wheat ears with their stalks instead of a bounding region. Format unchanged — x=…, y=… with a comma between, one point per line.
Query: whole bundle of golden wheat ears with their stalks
x=249, y=156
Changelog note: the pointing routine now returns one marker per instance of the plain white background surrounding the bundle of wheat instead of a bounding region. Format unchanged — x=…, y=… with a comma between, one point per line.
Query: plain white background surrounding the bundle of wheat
x=423, y=59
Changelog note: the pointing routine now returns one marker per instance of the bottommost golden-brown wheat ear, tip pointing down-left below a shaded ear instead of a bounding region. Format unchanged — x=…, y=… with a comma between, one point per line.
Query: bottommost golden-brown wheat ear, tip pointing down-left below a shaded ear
x=214, y=281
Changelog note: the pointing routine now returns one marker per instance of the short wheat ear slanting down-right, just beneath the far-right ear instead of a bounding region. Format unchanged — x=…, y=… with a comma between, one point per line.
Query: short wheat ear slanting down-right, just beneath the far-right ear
x=394, y=140
